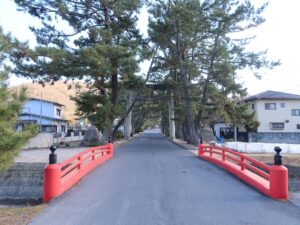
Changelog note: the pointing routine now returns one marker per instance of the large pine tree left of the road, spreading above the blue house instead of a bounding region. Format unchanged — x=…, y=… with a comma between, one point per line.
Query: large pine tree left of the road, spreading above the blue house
x=101, y=45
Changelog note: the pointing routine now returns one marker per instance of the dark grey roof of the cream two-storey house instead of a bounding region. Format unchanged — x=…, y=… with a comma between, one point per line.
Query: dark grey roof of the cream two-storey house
x=272, y=95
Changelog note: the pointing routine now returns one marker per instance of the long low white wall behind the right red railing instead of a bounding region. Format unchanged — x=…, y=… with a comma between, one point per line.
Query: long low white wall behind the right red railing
x=263, y=147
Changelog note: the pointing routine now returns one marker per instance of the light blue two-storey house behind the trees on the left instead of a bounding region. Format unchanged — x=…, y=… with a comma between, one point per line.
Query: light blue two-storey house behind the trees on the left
x=47, y=115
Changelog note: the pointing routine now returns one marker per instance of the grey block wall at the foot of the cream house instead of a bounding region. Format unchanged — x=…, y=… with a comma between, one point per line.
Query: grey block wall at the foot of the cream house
x=289, y=138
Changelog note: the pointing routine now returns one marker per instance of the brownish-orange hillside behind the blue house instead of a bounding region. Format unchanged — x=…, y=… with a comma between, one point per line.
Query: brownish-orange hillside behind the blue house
x=59, y=92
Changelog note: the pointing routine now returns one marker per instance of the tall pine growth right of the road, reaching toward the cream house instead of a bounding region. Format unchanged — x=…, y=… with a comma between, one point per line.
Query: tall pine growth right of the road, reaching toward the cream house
x=198, y=49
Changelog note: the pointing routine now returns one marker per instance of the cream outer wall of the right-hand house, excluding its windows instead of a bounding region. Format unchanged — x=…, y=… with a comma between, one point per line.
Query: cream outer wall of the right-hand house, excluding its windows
x=280, y=115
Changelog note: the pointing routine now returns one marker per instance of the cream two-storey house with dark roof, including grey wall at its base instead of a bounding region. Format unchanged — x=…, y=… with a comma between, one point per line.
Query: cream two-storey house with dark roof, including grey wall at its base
x=279, y=116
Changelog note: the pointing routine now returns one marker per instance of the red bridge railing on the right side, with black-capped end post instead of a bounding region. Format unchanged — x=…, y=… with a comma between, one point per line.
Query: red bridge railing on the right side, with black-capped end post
x=270, y=180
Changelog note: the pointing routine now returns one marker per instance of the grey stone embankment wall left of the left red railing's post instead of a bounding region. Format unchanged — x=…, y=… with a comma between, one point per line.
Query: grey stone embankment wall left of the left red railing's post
x=23, y=181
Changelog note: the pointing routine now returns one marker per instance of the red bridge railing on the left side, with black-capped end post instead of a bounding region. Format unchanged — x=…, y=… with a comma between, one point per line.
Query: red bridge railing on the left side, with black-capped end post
x=60, y=177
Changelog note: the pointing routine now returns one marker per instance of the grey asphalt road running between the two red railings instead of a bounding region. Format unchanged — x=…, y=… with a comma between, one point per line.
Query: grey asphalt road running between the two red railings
x=151, y=181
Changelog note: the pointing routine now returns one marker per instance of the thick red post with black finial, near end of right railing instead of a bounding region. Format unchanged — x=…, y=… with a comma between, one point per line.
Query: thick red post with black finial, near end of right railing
x=279, y=178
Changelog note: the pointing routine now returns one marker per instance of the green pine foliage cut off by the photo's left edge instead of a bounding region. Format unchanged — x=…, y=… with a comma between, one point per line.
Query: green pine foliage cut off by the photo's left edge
x=11, y=140
